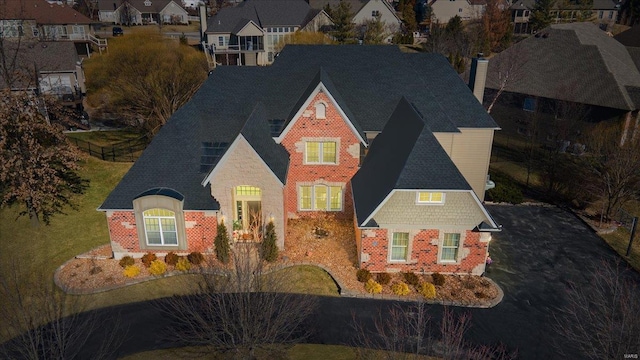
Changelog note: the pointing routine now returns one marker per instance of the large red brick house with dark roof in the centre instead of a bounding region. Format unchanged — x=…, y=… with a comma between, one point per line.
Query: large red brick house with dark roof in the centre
x=296, y=140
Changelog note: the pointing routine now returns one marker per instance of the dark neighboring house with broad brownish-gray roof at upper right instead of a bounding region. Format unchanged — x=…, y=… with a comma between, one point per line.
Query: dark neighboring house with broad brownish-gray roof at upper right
x=569, y=76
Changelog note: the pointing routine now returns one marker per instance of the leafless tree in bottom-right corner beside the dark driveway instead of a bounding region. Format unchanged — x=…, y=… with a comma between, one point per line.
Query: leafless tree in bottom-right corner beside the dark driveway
x=600, y=318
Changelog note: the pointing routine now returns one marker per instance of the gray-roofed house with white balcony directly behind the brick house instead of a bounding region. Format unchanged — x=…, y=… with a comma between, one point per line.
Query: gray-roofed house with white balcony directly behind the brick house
x=250, y=33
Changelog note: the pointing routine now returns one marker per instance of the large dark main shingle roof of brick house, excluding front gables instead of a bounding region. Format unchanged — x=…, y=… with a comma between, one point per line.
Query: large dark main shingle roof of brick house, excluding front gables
x=369, y=81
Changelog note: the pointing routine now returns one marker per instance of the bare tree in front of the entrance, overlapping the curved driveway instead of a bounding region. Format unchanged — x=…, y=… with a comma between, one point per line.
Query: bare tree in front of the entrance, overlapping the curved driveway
x=240, y=310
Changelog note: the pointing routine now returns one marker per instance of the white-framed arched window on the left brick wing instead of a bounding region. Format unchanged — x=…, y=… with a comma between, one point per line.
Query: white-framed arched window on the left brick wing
x=160, y=227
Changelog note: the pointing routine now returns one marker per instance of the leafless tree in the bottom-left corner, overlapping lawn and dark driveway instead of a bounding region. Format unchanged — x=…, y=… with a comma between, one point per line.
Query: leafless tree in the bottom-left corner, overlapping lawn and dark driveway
x=42, y=322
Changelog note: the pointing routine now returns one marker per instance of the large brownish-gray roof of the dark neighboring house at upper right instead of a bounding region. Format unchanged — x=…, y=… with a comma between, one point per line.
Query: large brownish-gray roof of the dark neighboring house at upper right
x=575, y=62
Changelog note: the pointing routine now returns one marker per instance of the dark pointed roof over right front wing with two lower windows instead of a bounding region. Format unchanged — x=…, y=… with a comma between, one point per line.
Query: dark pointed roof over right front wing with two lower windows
x=406, y=155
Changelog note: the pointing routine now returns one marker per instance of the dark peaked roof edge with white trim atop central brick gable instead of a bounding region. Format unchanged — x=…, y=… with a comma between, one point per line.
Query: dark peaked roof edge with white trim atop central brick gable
x=322, y=82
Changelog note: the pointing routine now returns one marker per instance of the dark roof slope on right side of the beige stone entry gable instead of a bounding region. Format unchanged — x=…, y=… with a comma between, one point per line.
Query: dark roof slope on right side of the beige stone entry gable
x=257, y=133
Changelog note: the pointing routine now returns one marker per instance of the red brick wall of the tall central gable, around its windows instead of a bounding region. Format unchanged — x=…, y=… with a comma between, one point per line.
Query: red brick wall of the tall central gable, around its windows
x=334, y=126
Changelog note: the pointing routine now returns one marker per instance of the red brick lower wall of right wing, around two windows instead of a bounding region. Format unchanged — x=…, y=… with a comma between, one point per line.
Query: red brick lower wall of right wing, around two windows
x=424, y=254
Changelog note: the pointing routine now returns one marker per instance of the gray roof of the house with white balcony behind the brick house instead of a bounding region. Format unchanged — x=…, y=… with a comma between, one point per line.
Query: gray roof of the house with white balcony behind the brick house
x=265, y=13
